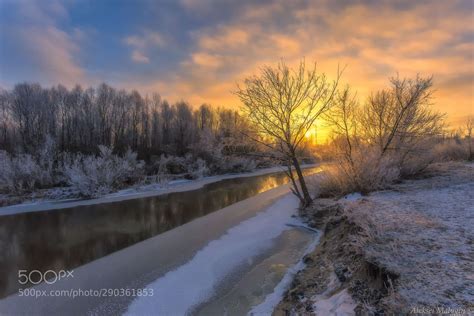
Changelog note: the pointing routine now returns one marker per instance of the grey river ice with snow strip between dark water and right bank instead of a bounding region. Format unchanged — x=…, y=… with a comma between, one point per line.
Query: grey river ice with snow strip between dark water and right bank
x=229, y=260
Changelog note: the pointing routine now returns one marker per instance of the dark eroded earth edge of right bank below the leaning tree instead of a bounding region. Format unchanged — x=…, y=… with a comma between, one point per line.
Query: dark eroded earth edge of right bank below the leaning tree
x=321, y=276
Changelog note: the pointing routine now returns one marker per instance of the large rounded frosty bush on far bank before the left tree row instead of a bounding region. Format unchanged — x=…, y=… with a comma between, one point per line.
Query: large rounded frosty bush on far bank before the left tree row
x=93, y=176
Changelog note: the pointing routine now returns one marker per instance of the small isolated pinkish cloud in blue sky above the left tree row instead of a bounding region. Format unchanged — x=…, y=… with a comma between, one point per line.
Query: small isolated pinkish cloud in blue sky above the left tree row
x=143, y=43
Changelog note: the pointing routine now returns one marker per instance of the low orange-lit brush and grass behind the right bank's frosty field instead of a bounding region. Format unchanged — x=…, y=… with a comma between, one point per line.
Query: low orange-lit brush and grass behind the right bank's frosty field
x=367, y=169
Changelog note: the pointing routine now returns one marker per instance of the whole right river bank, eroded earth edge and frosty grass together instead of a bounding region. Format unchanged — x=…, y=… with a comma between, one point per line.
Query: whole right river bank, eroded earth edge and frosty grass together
x=405, y=250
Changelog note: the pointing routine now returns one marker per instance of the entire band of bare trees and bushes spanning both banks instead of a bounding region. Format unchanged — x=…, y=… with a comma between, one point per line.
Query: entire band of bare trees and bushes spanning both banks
x=95, y=139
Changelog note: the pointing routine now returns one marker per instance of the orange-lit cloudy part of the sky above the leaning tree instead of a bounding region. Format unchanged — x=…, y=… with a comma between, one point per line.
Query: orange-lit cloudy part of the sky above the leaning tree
x=373, y=41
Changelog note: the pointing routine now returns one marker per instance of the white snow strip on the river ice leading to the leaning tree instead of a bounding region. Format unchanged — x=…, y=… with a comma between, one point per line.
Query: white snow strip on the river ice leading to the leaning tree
x=178, y=291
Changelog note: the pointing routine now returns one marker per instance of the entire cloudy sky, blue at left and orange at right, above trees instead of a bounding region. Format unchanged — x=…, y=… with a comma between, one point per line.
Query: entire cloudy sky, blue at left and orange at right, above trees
x=198, y=50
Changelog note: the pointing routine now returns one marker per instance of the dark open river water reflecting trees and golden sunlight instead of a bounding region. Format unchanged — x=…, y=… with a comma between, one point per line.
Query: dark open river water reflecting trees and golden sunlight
x=67, y=238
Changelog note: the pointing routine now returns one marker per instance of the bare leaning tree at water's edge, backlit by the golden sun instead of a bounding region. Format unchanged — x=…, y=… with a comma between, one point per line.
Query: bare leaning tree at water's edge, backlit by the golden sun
x=282, y=105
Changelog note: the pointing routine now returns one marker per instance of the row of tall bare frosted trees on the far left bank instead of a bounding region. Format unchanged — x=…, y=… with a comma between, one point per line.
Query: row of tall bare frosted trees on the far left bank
x=79, y=120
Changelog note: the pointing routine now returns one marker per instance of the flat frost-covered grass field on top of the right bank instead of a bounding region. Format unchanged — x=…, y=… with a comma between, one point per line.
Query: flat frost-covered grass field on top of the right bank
x=422, y=231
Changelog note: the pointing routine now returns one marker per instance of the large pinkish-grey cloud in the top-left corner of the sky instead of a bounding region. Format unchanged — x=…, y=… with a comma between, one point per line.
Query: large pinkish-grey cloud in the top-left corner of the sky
x=49, y=53
